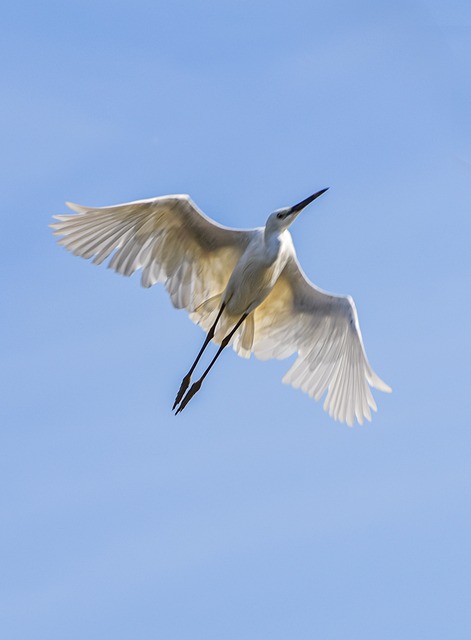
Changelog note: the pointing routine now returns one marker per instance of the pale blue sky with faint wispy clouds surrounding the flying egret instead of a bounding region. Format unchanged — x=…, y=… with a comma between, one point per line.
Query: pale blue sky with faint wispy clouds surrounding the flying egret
x=252, y=515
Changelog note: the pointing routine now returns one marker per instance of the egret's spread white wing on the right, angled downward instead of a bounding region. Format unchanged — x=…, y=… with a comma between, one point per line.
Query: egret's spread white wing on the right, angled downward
x=323, y=330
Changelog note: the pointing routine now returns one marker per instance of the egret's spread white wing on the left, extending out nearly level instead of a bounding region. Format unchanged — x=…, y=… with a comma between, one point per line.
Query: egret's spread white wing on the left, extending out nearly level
x=169, y=238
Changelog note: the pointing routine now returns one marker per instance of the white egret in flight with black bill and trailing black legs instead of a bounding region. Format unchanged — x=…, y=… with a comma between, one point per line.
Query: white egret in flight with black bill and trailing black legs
x=243, y=287
